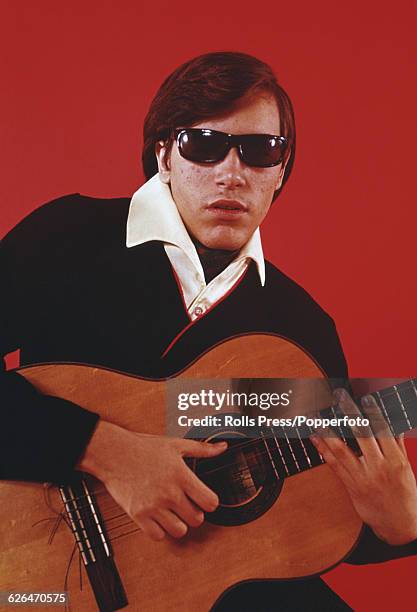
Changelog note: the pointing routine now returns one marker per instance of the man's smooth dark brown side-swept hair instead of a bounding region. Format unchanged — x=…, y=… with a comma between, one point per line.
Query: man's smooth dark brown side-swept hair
x=206, y=86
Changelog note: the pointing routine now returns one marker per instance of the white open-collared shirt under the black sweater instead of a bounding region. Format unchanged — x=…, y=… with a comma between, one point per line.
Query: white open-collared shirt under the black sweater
x=153, y=215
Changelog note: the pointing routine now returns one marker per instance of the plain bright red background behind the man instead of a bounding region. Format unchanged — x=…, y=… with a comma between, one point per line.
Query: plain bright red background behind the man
x=78, y=78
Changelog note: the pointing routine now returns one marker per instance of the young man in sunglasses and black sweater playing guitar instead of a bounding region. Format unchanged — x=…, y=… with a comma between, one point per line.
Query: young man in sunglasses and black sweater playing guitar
x=146, y=285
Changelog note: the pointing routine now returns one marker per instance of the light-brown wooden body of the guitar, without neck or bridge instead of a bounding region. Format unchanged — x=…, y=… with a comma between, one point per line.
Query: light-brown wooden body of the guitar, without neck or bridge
x=309, y=528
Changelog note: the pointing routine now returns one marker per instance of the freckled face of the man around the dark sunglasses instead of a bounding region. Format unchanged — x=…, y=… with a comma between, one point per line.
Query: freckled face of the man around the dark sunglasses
x=204, y=193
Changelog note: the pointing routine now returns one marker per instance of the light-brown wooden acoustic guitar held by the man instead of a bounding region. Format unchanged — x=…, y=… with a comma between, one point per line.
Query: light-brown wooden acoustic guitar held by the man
x=282, y=514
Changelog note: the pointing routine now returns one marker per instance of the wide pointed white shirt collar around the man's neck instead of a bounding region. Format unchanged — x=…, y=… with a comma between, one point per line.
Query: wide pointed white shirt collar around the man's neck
x=153, y=215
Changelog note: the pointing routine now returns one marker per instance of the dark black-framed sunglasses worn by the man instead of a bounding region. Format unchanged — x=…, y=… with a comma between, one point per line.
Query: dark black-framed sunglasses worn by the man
x=208, y=147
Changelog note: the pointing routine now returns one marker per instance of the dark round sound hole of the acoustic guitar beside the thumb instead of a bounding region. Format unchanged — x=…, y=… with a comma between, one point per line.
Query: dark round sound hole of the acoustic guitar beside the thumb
x=243, y=477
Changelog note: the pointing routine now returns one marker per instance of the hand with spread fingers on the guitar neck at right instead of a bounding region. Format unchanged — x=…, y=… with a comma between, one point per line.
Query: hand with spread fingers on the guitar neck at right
x=381, y=483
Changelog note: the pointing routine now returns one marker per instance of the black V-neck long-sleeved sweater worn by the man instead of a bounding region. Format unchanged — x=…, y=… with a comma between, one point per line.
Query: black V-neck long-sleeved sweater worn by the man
x=72, y=291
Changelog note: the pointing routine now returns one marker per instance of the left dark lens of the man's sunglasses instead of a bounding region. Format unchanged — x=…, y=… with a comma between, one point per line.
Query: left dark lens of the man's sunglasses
x=202, y=145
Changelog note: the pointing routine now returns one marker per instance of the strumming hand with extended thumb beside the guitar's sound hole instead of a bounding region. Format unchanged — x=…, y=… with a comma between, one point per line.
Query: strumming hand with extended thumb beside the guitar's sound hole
x=148, y=478
